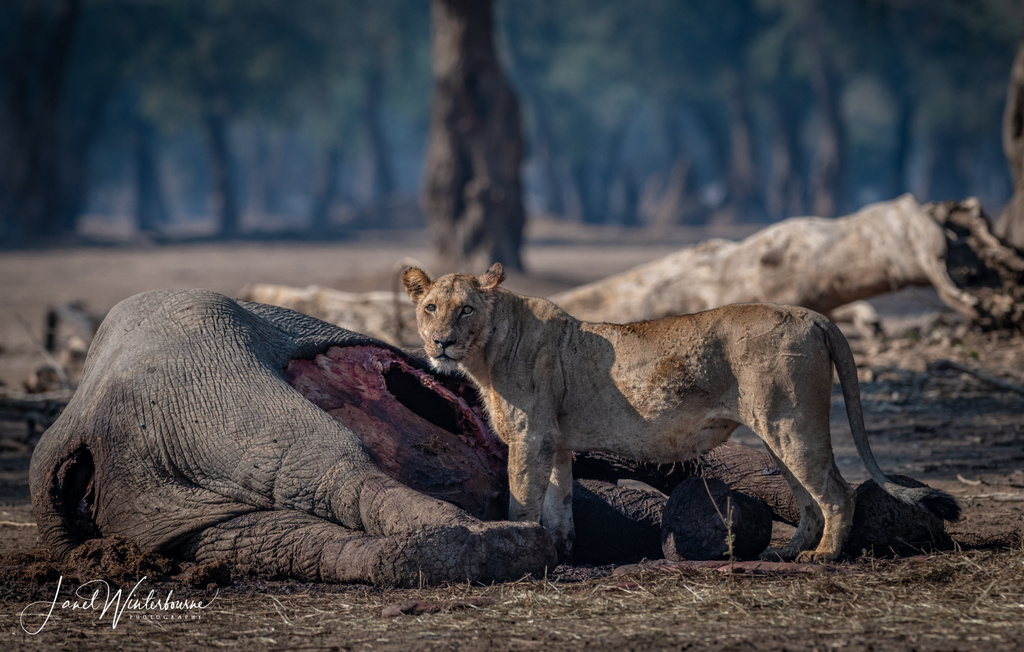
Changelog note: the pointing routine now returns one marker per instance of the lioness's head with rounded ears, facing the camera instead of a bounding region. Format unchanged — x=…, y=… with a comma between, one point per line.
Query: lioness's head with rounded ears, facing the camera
x=453, y=313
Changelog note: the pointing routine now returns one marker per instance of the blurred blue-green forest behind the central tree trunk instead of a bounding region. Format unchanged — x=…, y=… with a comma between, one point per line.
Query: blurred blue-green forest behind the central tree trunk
x=254, y=118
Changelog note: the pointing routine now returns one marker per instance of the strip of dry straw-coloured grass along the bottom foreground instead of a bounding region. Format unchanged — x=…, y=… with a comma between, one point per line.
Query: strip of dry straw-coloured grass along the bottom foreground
x=963, y=600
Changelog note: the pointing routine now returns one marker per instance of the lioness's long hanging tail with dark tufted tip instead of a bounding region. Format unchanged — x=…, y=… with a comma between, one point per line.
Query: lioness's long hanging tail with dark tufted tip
x=935, y=502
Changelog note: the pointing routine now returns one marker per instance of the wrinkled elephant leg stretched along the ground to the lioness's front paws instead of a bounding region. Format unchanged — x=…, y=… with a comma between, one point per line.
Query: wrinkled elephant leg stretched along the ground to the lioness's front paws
x=305, y=547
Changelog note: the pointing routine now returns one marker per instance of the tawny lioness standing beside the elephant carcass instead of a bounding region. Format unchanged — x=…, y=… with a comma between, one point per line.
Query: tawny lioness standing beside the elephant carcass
x=658, y=392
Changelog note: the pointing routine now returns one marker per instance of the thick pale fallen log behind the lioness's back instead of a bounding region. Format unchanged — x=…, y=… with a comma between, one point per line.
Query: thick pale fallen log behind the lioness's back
x=824, y=265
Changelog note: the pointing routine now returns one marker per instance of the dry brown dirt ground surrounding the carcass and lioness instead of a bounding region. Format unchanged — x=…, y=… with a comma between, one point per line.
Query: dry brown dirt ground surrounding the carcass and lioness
x=942, y=425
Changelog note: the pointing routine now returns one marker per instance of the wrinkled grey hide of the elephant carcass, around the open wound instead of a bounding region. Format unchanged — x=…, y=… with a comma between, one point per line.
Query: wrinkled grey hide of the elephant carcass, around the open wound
x=186, y=440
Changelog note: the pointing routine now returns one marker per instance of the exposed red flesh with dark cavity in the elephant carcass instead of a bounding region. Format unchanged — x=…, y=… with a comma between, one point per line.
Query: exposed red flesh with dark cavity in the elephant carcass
x=421, y=432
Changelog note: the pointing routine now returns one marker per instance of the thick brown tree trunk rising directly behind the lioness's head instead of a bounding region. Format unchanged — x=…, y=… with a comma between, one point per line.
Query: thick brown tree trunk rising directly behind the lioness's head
x=473, y=194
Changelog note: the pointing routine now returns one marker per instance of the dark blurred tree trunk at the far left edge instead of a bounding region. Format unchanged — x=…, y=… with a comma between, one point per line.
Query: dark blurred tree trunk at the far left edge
x=32, y=170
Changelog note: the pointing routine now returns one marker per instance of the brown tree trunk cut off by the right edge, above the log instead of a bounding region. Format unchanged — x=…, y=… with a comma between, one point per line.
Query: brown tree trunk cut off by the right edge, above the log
x=1011, y=224
